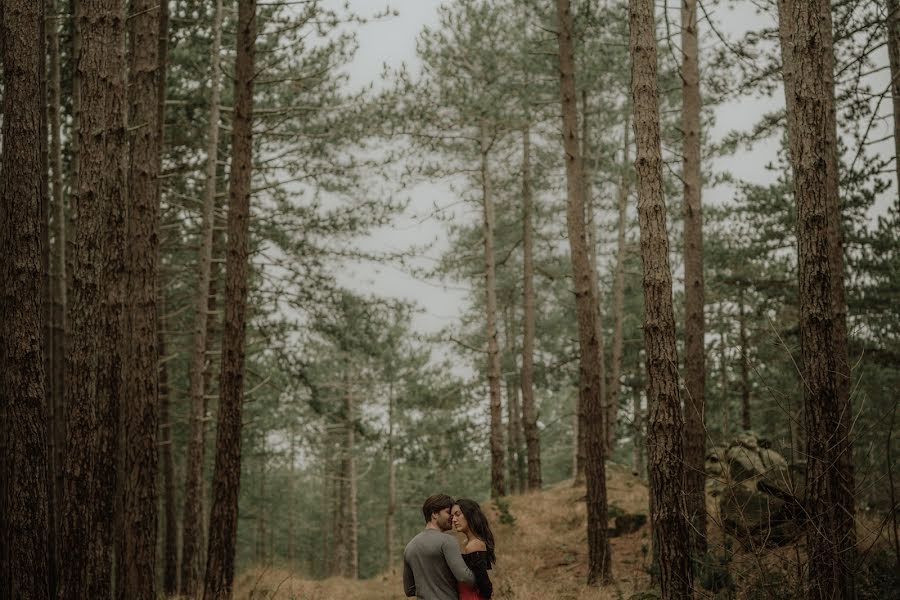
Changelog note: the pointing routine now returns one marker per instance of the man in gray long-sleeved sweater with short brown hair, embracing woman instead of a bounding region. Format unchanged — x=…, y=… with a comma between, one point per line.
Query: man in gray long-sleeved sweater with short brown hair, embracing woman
x=432, y=562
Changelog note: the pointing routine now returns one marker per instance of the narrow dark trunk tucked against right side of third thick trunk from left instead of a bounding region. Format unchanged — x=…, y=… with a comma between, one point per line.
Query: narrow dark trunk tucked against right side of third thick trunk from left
x=170, y=543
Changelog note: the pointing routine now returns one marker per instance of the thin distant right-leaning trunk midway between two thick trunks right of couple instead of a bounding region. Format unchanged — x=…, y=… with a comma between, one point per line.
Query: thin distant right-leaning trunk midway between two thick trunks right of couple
x=615, y=383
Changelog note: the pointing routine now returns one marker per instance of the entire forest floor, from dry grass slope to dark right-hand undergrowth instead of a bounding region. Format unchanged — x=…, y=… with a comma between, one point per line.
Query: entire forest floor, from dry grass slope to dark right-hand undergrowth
x=542, y=555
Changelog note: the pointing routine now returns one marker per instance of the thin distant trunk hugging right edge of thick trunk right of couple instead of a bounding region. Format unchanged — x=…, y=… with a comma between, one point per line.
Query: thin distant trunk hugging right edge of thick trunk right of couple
x=587, y=179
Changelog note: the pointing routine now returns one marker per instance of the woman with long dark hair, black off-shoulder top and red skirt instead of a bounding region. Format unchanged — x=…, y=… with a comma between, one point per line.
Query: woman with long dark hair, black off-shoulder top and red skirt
x=469, y=520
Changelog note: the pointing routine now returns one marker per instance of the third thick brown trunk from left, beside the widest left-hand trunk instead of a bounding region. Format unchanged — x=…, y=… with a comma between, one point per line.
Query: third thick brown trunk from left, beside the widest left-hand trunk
x=141, y=407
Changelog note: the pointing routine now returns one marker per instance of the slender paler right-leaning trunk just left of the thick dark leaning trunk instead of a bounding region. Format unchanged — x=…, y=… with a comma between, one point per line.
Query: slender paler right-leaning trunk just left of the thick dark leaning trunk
x=192, y=537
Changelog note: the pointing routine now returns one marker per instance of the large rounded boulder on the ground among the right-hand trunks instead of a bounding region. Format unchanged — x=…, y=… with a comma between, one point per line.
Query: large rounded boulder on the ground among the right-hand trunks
x=760, y=495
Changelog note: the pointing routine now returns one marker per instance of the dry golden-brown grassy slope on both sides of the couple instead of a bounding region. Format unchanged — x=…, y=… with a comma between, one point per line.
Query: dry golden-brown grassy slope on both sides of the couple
x=542, y=555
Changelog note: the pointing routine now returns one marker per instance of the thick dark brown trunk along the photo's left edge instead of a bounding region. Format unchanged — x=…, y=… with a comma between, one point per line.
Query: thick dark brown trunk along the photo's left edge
x=24, y=519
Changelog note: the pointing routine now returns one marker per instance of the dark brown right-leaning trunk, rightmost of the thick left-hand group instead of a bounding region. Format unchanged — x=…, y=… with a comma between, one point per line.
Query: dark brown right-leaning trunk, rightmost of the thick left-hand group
x=227, y=474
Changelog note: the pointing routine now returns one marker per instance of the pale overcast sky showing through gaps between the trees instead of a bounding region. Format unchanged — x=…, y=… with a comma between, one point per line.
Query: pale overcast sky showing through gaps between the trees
x=392, y=41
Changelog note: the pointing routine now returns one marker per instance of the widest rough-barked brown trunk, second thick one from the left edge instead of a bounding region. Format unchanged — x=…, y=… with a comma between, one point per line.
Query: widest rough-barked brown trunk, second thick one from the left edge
x=93, y=381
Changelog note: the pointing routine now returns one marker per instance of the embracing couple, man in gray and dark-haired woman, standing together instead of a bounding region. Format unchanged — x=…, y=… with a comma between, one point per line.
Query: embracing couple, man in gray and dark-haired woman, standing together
x=434, y=567
